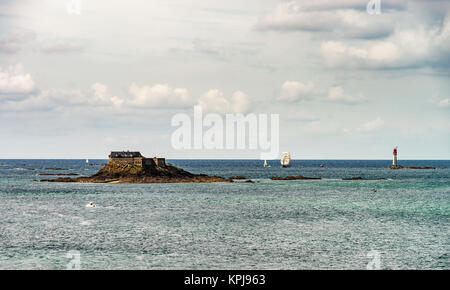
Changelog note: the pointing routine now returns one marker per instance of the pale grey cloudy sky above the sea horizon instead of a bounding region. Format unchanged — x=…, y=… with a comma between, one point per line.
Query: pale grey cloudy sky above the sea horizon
x=79, y=79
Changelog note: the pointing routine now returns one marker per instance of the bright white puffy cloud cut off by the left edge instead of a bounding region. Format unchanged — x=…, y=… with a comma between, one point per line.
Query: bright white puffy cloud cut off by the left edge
x=13, y=80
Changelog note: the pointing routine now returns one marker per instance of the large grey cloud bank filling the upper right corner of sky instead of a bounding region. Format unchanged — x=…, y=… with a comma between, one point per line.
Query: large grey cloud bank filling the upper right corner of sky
x=406, y=34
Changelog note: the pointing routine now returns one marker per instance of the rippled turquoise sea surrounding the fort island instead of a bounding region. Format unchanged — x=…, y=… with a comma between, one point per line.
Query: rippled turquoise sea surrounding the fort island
x=304, y=224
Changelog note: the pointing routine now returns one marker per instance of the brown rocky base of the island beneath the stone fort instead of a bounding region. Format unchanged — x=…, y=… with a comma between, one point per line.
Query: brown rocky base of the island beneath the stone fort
x=128, y=173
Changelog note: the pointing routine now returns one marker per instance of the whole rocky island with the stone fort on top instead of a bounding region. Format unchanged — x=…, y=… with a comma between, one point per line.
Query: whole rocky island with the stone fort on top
x=132, y=167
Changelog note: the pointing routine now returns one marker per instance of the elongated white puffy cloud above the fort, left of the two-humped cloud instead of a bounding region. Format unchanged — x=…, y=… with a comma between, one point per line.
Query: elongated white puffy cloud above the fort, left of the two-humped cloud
x=158, y=95
